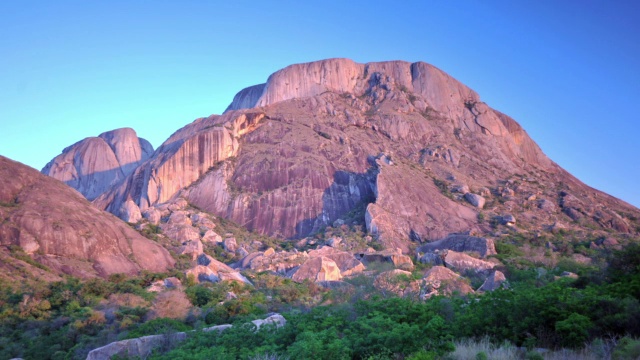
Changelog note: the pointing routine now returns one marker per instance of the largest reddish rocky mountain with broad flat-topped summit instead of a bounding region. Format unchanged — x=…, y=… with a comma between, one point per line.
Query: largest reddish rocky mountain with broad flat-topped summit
x=406, y=148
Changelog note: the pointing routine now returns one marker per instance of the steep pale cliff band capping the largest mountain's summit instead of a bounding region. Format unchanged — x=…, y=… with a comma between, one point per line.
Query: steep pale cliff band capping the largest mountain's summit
x=440, y=90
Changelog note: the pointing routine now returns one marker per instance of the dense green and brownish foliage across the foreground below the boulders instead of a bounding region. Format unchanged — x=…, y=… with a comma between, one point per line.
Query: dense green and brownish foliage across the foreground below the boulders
x=65, y=320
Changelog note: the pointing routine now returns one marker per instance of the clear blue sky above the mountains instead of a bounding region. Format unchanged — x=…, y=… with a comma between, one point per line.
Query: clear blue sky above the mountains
x=568, y=71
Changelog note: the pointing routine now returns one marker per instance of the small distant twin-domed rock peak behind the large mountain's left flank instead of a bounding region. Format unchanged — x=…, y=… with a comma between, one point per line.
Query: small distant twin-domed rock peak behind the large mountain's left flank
x=95, y=164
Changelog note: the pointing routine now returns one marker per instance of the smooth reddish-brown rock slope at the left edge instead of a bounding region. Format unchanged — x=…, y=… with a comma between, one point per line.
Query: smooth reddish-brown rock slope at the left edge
x=59, y=228
